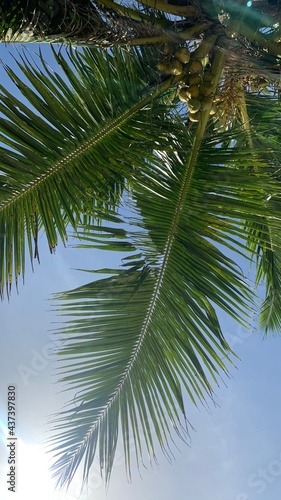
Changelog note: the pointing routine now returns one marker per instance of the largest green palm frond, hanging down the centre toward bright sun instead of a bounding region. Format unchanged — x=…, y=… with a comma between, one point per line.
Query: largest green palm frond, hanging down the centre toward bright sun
x=149, y=332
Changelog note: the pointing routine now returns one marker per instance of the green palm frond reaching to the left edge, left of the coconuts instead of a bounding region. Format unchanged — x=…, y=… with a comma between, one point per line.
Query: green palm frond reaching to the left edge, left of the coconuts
x=59, y=157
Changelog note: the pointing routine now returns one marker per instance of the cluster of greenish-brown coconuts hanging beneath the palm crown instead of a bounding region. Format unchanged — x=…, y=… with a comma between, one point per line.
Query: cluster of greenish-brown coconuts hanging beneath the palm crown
x=196, y=86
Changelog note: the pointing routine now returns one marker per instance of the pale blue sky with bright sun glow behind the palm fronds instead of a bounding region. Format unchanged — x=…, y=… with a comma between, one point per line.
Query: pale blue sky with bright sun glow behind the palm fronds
x=234, y=451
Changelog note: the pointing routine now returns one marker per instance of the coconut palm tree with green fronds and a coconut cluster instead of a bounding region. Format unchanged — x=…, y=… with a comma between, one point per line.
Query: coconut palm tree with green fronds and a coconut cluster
x=192, y=149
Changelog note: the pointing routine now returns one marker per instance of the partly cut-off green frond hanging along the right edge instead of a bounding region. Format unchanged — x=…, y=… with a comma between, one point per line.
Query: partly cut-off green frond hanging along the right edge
x=264, y=116
